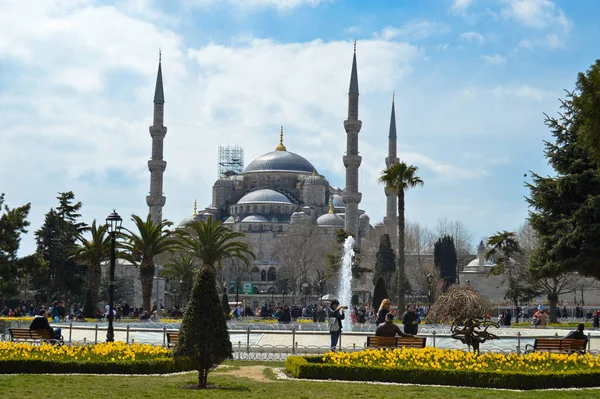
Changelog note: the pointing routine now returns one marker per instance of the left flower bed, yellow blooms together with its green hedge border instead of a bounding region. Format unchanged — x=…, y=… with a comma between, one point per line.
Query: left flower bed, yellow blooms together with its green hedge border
x=114, y=357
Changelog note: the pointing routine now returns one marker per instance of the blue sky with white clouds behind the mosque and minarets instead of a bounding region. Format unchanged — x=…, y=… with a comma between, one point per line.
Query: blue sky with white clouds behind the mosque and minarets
x=472, y=81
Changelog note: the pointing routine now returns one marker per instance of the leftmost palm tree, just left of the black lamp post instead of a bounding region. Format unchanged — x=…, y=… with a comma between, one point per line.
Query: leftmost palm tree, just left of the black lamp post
x=93, y=252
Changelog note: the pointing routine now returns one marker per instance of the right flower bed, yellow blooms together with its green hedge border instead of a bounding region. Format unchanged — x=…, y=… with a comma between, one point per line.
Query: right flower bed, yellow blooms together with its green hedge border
x=452, y=367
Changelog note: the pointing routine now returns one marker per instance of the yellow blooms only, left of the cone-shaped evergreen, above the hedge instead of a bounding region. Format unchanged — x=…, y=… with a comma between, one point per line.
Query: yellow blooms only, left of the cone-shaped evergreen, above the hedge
x=111, y=352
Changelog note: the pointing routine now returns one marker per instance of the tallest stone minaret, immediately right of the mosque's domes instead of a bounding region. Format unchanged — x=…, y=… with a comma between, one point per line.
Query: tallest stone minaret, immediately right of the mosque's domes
x=352, y=160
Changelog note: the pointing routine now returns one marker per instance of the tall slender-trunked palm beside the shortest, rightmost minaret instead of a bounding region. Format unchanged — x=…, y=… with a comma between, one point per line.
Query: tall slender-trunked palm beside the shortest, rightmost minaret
x=398, y=178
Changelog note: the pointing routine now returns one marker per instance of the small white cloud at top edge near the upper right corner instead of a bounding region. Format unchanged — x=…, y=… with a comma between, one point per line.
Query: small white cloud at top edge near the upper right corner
x=538, y=14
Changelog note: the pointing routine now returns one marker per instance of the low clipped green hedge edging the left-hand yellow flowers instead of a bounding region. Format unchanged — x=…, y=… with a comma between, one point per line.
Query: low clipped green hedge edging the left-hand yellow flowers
x=36, y=366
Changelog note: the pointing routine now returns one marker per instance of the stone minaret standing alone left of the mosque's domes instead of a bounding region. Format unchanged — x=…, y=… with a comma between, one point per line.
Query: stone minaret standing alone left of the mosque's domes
x=156, y=165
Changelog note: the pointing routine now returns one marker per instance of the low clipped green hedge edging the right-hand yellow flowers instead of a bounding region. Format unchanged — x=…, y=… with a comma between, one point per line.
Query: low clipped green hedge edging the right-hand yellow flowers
x=312, y=367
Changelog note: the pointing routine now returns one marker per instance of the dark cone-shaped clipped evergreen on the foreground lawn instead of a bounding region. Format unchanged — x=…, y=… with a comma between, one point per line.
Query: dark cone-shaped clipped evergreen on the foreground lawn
x=203, y=336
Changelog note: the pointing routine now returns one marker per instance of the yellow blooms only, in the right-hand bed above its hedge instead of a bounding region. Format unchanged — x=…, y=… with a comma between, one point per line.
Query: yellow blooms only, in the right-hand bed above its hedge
x=451, y=359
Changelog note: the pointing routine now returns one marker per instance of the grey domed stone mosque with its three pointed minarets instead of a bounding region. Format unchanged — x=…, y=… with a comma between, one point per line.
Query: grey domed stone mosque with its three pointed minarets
x=282, y=193
